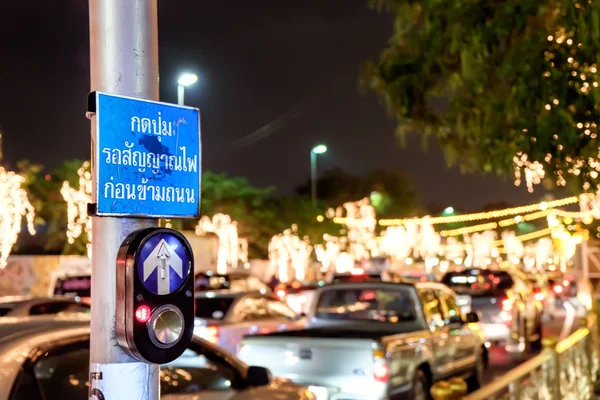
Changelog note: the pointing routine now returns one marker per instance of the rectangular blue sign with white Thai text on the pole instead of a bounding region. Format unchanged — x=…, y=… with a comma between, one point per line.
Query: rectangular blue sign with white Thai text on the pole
x=147, y=158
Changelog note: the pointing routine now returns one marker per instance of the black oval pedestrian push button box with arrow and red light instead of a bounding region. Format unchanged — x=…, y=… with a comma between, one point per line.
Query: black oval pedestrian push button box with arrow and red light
x=155, y=295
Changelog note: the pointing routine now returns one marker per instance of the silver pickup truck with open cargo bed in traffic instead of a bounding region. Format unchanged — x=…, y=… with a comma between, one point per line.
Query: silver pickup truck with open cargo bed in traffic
x=375, y=340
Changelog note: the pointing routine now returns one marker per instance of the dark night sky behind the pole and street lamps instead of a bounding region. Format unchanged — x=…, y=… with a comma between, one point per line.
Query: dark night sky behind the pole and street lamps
x=276, y=77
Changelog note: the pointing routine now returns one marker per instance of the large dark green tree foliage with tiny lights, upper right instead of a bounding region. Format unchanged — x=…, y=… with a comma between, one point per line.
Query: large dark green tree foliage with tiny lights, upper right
x=494, y=80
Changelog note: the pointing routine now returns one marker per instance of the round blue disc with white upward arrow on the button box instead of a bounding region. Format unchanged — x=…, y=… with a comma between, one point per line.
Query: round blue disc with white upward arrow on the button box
x=163, y=264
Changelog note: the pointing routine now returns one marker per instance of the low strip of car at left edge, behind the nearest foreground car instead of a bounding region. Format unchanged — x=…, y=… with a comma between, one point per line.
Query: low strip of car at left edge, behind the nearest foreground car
x=22, y=306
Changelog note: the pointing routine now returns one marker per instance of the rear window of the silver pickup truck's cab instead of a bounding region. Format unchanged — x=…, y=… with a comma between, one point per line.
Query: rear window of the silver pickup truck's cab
x=377, y=305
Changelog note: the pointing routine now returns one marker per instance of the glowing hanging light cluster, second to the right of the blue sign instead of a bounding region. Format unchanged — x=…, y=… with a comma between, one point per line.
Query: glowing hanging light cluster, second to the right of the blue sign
x=289, y=253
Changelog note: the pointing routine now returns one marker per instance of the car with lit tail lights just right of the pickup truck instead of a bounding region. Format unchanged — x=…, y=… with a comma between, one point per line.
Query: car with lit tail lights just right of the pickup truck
x=510, y=314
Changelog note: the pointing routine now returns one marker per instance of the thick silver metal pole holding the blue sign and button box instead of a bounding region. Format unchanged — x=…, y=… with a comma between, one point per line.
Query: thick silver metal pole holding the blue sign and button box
x=123, y=60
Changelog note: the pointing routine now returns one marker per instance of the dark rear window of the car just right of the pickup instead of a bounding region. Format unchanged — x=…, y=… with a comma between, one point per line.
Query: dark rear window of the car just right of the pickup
x=479, y=282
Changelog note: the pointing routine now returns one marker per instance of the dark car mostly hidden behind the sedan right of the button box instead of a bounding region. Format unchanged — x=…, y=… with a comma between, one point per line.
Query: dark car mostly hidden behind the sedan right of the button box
x=236, y=281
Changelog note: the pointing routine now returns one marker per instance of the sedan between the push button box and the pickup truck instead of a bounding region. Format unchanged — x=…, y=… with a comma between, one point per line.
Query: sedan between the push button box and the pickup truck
x=224, y=317
